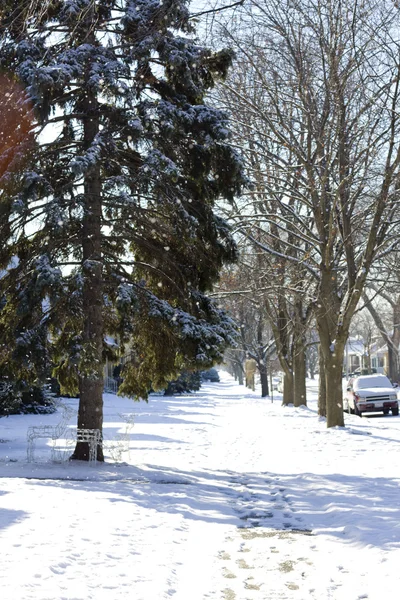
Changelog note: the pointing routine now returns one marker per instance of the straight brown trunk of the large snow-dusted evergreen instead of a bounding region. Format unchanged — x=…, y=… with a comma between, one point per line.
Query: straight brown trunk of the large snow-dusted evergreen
x=90, y=414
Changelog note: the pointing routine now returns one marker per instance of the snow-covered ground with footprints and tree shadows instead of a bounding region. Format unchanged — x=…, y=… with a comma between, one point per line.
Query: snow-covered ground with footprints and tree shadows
x=223, y=495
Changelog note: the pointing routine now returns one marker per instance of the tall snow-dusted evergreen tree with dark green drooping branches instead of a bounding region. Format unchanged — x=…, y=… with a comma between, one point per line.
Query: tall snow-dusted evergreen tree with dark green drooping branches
x=110, y=220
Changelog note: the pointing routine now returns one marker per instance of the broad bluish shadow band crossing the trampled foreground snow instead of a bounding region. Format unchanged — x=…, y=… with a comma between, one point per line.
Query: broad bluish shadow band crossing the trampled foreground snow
x=355, y=509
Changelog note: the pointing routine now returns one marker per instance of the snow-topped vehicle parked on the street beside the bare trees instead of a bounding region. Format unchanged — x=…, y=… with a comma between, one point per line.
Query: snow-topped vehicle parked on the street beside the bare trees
x=370, y=393
